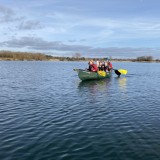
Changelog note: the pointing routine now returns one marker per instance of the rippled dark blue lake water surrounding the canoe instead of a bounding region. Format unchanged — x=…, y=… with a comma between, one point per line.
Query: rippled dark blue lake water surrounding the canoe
x=47, y=113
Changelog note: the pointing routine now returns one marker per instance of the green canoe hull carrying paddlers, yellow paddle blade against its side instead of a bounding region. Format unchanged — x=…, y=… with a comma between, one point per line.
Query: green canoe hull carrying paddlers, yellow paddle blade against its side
x=87, y=75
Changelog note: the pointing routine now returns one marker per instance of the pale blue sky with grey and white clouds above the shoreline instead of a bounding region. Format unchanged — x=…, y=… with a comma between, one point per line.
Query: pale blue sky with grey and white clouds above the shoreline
x=94, y=28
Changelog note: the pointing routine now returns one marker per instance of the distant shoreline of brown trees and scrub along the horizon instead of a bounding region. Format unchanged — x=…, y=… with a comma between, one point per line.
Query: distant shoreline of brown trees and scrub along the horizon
x=26, y=56
